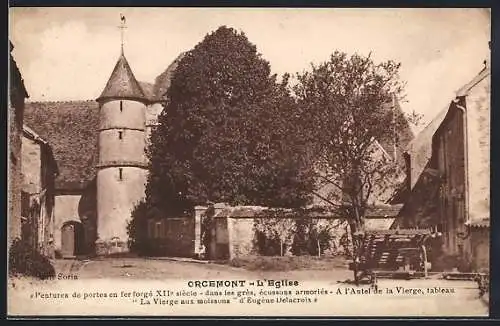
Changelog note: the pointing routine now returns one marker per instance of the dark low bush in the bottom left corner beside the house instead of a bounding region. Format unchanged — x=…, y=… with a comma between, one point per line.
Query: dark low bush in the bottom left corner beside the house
x=26, y=260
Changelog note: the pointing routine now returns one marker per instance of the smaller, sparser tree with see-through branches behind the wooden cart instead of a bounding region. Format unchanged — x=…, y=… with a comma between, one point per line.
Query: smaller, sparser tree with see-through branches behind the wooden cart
x=347, y=112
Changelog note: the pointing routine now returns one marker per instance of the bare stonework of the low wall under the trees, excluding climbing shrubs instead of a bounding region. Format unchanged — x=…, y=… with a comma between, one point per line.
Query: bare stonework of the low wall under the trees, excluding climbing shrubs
x=234, y=232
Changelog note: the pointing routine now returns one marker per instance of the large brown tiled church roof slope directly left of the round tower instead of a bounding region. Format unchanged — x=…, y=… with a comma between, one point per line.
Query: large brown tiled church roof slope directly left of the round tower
x=71, y=129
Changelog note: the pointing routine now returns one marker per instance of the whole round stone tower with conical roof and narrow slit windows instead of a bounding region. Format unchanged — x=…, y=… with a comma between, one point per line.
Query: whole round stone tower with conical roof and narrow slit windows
x=122, y=173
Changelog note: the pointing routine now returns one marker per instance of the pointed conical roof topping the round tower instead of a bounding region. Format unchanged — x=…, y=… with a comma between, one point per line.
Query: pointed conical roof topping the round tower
x=122, y=83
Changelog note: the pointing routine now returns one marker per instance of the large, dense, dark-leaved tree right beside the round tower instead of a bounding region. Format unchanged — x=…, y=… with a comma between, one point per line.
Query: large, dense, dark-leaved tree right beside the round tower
x=225, y=135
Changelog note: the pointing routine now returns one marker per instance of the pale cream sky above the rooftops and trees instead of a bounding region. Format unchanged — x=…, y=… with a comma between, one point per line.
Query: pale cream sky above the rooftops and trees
x=69, y=53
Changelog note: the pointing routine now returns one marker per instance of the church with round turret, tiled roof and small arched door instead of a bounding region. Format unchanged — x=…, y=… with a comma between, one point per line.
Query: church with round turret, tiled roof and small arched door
x=100, y=149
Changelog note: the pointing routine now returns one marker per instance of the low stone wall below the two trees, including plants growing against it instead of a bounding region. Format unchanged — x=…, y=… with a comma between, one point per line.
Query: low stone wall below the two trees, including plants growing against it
x=235, y=233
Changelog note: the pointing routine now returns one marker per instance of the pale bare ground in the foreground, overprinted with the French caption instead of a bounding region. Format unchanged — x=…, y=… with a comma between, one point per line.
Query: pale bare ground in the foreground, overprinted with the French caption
x=138, y=276
